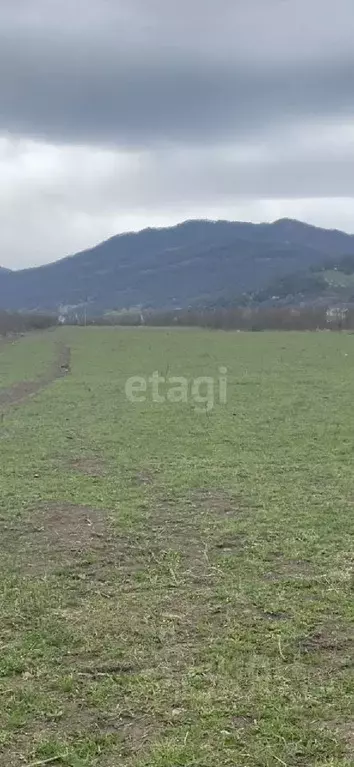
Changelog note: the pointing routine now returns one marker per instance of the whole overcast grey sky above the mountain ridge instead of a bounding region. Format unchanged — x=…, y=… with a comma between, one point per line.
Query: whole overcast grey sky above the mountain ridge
x=120, y=114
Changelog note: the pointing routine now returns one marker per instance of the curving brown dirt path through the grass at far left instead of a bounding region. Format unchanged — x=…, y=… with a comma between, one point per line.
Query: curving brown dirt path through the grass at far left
x=21, y=391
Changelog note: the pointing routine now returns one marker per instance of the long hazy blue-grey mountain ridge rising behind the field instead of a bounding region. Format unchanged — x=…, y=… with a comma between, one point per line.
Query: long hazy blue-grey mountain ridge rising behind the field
x=196, y=261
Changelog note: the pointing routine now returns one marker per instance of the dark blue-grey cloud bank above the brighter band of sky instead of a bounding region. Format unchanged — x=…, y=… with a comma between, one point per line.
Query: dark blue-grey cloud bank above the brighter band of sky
x=133, y=74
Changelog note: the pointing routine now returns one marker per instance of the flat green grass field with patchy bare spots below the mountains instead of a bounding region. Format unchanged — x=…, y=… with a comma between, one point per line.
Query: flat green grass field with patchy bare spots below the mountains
x=177, y=583
